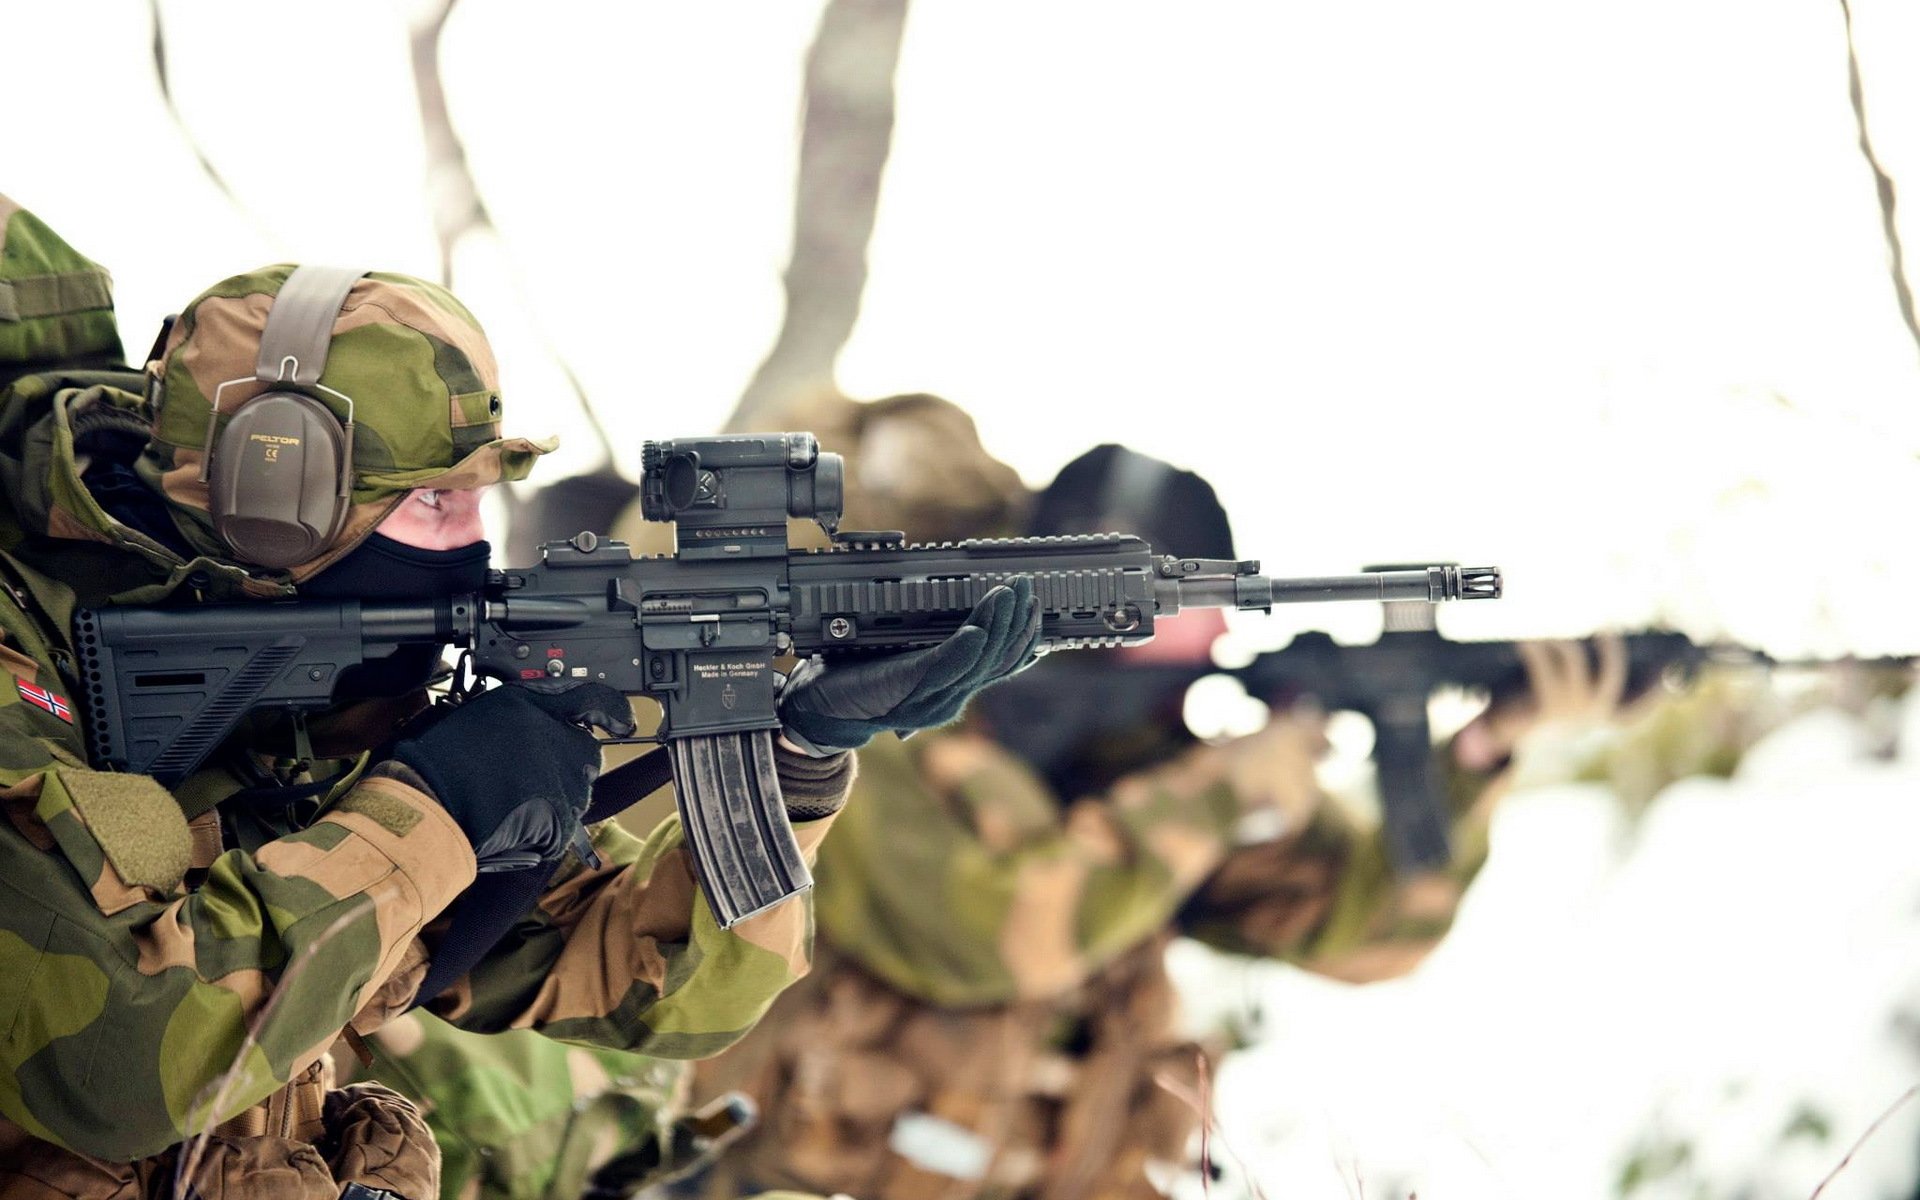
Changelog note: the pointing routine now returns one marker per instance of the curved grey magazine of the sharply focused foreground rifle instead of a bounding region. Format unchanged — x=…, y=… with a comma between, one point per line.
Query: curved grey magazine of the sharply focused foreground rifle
x=744, y=852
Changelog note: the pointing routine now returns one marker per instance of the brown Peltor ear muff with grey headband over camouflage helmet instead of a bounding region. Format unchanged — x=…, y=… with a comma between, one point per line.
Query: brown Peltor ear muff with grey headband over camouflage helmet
x=281, y=471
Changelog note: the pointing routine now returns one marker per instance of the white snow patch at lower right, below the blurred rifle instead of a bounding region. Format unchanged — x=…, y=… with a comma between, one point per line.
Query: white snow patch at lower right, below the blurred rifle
x=1729, y=990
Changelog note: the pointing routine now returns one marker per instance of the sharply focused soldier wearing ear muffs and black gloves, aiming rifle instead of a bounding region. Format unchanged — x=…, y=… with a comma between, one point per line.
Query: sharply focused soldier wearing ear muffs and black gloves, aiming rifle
x=181, y=961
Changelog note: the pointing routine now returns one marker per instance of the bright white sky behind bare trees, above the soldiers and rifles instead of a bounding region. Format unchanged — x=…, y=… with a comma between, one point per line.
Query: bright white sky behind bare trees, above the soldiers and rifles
x=1593, y=293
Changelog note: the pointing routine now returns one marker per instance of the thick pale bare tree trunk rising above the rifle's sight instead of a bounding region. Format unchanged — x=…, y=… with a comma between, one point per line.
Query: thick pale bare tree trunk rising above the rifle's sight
x=846, y=137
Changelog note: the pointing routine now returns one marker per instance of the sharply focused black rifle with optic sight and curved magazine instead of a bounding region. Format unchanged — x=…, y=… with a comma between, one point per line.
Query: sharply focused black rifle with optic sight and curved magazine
x=696, y=631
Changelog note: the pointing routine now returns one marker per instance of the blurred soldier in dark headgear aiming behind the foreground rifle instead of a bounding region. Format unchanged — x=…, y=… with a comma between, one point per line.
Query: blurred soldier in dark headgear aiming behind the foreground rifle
x=990, y=1013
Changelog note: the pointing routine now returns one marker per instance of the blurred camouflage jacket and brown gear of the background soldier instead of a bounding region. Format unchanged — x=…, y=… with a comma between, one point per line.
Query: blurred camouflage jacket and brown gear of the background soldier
x=992, y=1015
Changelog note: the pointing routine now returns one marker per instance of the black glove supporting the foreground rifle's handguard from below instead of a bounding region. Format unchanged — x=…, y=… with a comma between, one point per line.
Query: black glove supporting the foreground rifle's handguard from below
x=842, y=708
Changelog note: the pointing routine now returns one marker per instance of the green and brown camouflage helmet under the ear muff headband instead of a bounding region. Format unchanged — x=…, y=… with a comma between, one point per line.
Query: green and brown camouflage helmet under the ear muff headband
x=412, y=358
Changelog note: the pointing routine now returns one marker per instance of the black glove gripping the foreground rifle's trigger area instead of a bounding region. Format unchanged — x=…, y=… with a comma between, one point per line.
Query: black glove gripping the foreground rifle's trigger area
x=516, y=767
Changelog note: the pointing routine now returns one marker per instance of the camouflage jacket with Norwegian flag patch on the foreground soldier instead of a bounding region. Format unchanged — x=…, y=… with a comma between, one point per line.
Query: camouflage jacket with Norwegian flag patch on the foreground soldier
x=170, y=963
